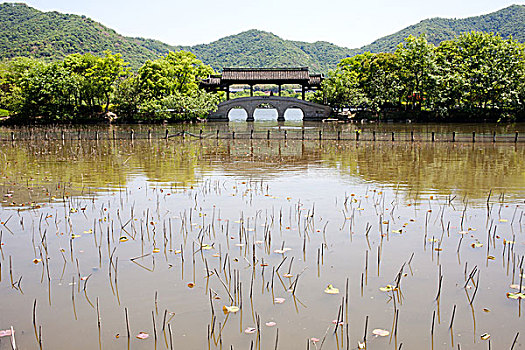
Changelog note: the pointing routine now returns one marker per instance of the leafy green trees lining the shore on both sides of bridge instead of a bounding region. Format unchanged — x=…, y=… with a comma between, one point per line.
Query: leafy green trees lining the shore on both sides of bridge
x=477, y=77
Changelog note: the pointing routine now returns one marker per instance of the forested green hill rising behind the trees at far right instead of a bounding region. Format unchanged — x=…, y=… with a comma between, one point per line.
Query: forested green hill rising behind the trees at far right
x=508, y=22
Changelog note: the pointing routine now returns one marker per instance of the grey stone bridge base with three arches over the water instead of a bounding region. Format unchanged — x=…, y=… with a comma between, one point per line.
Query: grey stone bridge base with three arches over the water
x=311, y=111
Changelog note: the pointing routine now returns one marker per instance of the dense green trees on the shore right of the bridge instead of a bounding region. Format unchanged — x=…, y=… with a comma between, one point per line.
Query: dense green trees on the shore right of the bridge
x=477, y=76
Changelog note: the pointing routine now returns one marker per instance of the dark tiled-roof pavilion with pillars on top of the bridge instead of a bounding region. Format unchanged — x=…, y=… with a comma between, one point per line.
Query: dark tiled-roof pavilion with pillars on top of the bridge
x=262, y=76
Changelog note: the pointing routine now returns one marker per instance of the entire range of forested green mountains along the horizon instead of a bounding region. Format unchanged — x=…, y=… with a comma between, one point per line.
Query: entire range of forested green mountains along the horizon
x=25, y=31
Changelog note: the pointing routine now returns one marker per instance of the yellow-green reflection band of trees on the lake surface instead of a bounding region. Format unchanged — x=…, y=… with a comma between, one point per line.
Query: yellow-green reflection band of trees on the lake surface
x=470, y=170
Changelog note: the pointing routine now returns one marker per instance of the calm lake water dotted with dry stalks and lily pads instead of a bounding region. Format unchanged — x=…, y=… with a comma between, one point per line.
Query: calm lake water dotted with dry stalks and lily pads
x=171, y=231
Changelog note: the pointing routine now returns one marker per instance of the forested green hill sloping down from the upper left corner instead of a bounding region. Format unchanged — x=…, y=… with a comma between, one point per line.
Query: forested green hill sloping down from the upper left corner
x=25, y=31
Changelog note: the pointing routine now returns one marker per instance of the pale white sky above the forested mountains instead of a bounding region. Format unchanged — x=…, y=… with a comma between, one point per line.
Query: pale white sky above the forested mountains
x=350, y=23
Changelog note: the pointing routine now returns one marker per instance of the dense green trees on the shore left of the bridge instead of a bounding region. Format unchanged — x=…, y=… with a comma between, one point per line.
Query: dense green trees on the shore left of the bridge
x=87, y=88
